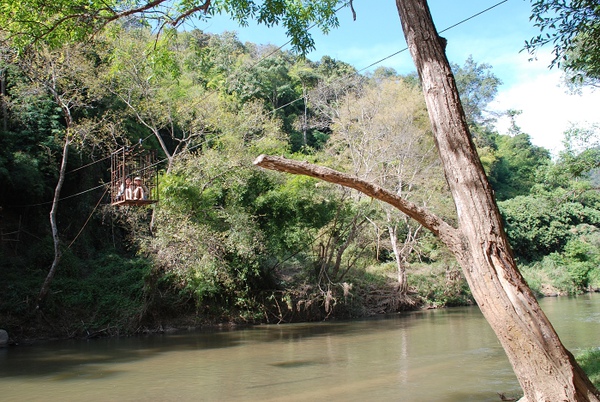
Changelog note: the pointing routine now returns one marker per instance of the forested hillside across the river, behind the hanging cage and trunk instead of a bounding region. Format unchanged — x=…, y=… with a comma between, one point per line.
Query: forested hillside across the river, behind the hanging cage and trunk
x=230, y=242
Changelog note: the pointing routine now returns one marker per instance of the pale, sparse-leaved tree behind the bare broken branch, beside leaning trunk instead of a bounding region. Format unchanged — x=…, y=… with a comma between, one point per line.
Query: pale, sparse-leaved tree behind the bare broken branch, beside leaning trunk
x=382, y=134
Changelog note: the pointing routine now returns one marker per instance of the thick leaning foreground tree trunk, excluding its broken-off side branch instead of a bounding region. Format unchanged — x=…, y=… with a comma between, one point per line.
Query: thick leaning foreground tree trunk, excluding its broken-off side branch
x=545, y=369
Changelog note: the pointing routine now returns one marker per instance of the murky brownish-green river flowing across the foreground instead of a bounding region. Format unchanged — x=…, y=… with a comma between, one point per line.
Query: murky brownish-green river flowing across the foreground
x=433, y=355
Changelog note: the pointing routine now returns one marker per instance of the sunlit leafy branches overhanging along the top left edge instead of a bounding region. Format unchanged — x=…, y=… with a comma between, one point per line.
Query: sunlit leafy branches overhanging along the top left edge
x=55, y=22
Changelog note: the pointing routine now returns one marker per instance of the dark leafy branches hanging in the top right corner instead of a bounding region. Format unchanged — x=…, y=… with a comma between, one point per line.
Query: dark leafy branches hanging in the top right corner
x=573, y=27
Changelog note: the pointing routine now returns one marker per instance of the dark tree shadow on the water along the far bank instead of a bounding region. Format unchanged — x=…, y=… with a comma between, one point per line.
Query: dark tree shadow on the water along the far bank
x=65, y=360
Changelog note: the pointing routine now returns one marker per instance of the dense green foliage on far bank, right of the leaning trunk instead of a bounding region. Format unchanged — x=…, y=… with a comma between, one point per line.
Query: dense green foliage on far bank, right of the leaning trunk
x=554, y=227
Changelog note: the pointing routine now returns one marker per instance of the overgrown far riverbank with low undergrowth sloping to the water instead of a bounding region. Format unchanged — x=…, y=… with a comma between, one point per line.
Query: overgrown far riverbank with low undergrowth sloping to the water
x=115, y=301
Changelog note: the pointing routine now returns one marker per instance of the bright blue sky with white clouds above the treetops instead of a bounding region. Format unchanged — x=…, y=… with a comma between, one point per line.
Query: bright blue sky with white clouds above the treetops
x=496, y=37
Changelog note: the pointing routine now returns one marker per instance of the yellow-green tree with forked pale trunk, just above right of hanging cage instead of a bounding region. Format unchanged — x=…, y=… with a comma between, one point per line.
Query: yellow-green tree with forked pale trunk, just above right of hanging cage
x=158, y=91
